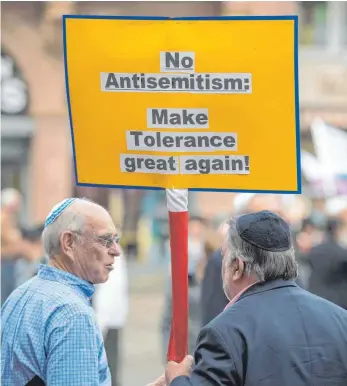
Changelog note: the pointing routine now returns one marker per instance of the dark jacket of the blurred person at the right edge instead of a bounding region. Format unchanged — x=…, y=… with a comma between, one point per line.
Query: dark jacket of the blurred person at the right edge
x=328, y=279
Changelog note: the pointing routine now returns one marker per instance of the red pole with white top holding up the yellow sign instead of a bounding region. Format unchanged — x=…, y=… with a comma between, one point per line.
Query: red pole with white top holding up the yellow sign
x=177, y=204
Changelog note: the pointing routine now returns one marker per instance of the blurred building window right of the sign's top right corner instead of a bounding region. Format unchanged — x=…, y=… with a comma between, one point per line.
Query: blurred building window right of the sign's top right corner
x=313, y=21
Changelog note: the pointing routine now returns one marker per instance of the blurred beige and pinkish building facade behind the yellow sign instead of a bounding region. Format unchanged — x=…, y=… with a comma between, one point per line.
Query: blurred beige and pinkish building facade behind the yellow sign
x=36, y=147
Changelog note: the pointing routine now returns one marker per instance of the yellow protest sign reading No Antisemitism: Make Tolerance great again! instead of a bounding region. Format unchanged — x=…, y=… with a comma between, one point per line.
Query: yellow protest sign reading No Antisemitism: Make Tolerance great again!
x=199, y=103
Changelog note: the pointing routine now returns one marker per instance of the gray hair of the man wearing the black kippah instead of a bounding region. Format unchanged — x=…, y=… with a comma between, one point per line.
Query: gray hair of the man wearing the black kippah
x=266, y=265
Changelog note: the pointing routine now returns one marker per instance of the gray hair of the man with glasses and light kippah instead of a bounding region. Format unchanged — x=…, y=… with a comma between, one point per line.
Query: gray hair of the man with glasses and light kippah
x=70, y=220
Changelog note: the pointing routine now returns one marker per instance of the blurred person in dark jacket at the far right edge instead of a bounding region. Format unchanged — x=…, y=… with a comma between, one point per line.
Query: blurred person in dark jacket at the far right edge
x=328, y=260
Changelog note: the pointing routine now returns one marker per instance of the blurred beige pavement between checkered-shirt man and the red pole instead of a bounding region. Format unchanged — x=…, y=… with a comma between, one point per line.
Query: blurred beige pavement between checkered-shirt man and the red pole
x=142, y=360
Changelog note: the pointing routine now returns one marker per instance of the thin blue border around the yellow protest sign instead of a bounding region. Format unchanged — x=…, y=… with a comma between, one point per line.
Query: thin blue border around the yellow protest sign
x=297, y=104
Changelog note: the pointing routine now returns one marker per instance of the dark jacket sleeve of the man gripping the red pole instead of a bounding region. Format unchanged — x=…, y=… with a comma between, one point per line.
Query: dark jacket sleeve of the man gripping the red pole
x=214, y=364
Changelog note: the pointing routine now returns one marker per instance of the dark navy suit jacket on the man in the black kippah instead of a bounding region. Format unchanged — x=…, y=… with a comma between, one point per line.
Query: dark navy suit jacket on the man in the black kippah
x=276, y=334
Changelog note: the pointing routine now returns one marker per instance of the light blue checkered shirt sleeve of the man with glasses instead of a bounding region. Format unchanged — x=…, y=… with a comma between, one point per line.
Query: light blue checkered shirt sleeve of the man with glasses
x=73, y=352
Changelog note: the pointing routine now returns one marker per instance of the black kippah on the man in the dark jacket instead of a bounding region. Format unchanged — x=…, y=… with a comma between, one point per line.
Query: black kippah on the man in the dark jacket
x=265, y=230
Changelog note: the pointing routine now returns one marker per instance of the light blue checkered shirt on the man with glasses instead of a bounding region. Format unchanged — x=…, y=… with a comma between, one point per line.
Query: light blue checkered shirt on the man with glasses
x=49, y=330
